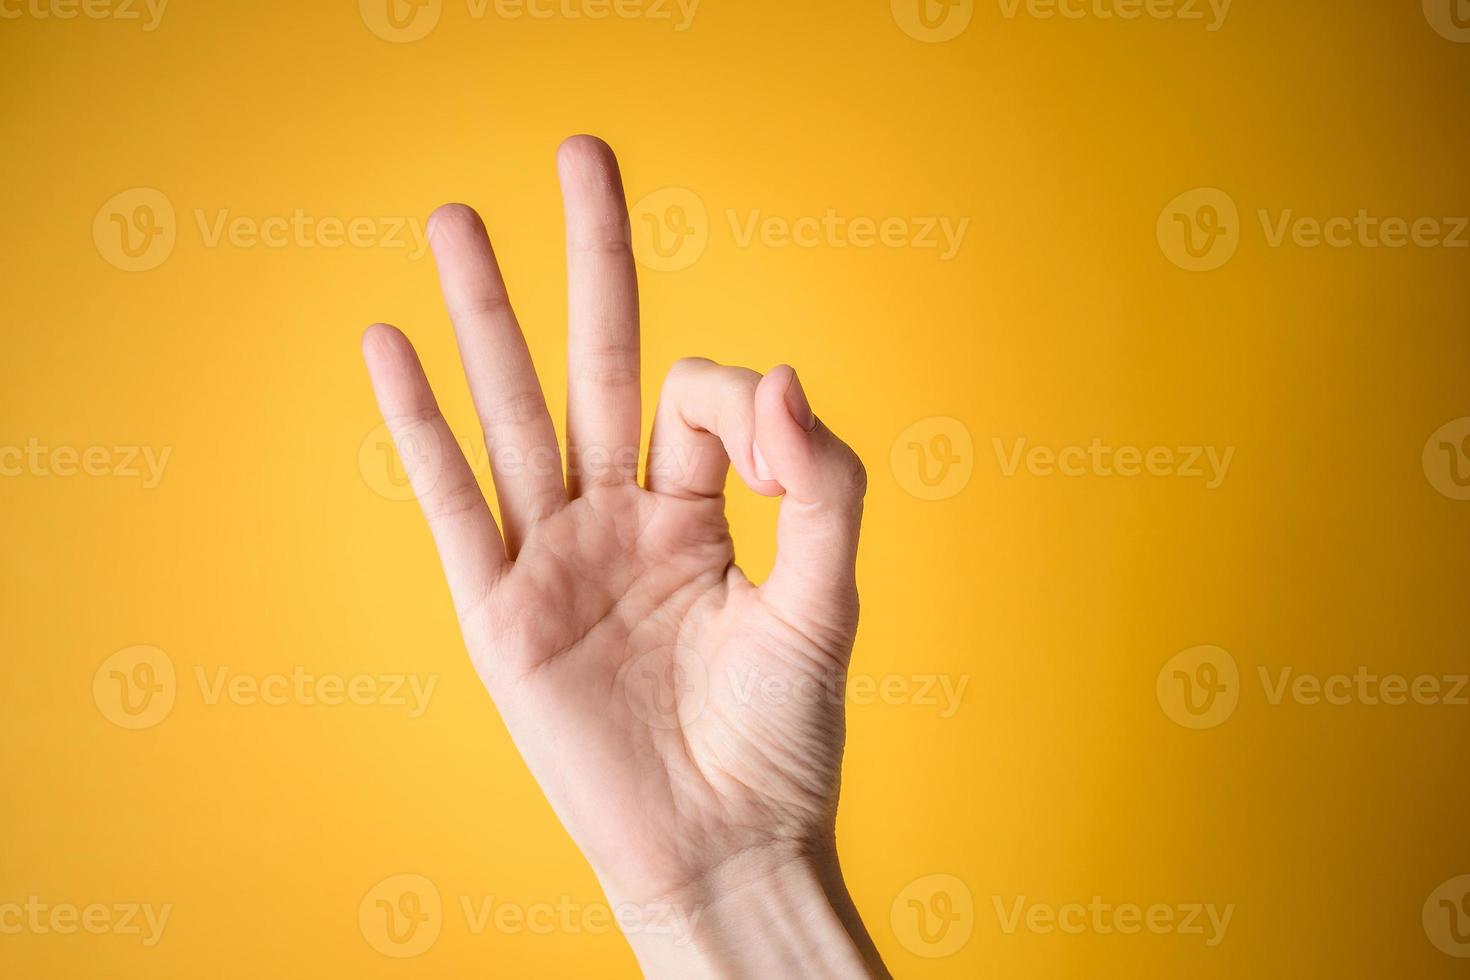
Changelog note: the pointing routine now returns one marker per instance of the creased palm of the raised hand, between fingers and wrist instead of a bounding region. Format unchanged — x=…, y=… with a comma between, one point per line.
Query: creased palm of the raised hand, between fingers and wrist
x=653, y=663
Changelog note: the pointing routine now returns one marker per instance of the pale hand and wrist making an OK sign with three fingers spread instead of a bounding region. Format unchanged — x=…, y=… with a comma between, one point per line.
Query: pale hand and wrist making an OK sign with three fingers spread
x=686, y=724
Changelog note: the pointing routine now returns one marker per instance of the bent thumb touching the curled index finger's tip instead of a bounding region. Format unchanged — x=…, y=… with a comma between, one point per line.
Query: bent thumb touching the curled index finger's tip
x=814, y=584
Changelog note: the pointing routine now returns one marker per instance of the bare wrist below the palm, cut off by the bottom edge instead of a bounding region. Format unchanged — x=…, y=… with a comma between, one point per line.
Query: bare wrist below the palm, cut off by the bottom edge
x=777, y=910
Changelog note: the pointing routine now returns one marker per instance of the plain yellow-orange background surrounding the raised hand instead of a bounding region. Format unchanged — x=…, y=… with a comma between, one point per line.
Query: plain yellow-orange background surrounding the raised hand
x=1058, y=599
